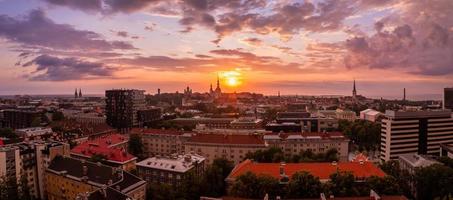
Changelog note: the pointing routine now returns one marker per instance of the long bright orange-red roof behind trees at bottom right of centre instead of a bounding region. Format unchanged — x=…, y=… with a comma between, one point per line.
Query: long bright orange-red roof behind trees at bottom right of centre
x=321, y=170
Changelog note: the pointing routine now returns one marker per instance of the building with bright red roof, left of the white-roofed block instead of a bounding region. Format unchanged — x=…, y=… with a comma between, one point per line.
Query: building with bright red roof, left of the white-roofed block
x=111, y=148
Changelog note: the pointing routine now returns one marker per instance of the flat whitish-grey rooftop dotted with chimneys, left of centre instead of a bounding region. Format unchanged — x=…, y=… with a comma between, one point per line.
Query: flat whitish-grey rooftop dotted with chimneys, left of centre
x=180, y=163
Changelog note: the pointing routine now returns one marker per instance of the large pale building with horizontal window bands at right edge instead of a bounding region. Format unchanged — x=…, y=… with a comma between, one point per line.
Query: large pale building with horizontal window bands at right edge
x=419, y=132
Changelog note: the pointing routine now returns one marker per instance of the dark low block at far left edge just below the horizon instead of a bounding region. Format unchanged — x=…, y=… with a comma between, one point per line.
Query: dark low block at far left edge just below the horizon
x=17, y=118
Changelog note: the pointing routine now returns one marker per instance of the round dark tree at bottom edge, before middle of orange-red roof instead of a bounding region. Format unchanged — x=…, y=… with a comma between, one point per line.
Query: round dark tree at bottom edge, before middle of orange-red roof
x=304, y=185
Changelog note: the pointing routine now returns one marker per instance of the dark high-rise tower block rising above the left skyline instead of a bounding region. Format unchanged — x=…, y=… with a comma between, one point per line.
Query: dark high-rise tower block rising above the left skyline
x=122, y=106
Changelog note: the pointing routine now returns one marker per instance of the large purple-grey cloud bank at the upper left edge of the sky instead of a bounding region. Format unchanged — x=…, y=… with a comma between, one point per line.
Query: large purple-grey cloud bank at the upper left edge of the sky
x=36, y=30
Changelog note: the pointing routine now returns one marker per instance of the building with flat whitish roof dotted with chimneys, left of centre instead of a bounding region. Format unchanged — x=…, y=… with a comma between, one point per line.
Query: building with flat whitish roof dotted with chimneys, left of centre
x=170, y=170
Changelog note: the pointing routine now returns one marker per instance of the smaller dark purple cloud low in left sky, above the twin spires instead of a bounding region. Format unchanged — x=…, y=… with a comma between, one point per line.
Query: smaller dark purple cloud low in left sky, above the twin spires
x=50, y=68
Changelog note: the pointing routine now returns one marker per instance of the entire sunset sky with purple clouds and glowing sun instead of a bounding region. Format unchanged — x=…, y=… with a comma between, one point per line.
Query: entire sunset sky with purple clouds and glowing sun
x=305, y=47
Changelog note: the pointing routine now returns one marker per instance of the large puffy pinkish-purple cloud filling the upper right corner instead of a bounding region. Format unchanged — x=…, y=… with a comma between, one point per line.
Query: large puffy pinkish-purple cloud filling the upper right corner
x=417, y=40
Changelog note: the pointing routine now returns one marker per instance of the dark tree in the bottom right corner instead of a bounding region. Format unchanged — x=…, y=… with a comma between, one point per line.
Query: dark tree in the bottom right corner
x=435, y=181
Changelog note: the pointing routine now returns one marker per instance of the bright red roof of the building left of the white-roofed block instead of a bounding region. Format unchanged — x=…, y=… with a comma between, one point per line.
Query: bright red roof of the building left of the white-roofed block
x=105, y=145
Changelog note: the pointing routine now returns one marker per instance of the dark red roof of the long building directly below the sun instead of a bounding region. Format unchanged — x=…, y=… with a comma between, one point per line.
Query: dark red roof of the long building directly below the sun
x=227, y=139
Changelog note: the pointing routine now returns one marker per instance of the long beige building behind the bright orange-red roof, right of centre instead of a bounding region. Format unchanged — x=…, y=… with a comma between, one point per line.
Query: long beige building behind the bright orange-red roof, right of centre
x=295, y=143
